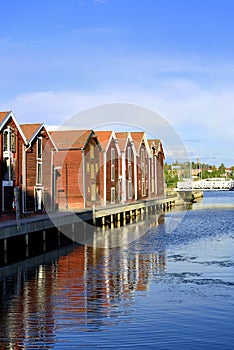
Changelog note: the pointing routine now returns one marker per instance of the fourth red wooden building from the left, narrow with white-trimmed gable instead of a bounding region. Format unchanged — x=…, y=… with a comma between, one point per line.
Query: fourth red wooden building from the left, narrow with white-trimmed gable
x=109, y=171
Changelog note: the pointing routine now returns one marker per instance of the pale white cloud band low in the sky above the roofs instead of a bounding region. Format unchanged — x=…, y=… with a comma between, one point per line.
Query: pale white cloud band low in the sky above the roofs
x=203, y=115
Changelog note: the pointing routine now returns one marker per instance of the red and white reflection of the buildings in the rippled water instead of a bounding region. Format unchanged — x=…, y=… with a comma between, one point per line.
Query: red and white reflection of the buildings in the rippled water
x=81, y=290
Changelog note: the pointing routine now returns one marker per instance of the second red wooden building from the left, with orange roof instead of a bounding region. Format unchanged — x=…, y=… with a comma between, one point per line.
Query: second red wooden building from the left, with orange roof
x=37, y=169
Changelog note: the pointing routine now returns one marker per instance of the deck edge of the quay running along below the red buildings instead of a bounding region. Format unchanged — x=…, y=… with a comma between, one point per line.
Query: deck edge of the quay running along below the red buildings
x=9, y=229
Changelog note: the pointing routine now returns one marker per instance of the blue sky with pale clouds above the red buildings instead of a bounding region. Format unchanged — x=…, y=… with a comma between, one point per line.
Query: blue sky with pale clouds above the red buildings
x=175, y=57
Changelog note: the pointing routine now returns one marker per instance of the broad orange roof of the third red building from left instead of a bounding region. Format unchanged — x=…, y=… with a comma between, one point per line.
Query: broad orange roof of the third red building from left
x=72, y=139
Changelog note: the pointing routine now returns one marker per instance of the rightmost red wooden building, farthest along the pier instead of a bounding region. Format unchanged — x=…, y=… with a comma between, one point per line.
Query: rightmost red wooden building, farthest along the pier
x=157, y=168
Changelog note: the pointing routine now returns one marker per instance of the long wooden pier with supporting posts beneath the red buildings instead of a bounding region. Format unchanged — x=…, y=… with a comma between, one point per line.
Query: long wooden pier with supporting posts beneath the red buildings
x=65, y=221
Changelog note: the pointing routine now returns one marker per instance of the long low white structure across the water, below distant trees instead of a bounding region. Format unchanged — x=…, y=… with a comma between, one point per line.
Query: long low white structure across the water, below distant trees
x=207, y=184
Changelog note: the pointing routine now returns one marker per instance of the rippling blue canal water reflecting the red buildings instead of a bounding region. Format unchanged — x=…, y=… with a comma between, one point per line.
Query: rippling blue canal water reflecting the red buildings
x=168, y=289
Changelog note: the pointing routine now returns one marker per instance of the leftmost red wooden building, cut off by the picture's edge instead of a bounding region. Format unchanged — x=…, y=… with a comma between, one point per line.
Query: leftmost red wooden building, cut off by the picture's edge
x=12, y=141
